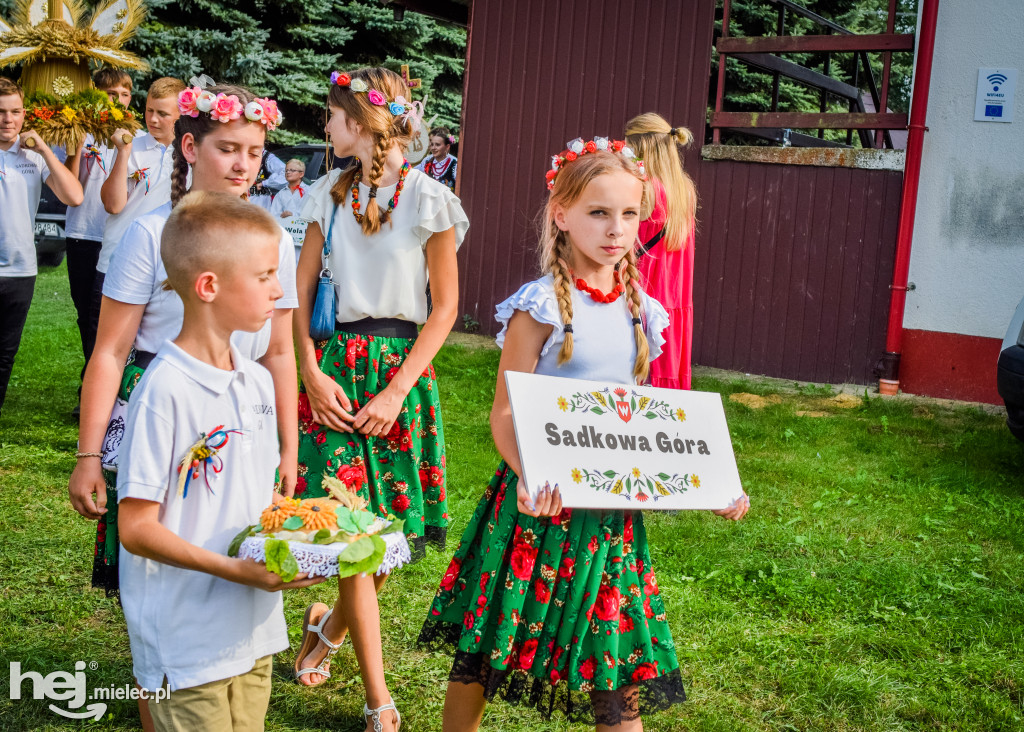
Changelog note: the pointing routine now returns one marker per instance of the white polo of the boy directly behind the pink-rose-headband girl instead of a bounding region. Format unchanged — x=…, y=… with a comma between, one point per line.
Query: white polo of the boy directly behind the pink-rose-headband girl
x=150, y=167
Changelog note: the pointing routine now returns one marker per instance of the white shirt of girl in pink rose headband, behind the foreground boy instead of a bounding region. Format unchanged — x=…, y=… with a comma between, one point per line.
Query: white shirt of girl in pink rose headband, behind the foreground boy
x=137, y=277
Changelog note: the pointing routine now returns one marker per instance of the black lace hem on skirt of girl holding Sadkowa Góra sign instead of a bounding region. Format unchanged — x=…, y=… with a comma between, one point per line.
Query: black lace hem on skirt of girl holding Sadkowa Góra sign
x=522, y=688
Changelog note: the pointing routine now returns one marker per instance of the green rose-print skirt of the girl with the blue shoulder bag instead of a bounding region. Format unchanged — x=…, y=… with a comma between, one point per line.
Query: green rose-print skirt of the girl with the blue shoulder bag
x=402, y=473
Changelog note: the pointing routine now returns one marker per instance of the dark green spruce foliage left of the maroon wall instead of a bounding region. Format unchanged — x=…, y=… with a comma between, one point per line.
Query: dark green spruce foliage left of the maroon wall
x=287, y=50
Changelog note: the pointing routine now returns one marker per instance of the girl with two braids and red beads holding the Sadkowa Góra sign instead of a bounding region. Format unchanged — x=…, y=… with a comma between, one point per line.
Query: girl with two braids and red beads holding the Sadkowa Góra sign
x=554, y=609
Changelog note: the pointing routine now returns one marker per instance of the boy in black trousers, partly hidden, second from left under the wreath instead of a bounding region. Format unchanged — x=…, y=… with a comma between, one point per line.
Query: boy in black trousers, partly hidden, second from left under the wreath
x=91, y=164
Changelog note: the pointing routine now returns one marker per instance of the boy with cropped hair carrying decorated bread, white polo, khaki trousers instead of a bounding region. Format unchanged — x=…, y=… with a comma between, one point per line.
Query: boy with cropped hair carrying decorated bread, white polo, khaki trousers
x=208, y=635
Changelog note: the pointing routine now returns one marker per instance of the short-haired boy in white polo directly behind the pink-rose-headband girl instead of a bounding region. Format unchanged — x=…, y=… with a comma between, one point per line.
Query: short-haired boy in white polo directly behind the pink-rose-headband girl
x=140, y=181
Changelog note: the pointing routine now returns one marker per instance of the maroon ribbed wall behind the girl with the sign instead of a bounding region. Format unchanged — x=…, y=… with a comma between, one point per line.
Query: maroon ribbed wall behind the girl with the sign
x=793, y=264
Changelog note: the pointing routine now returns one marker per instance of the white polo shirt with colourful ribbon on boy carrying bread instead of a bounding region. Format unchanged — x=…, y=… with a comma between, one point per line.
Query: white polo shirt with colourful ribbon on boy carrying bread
x=188, y=626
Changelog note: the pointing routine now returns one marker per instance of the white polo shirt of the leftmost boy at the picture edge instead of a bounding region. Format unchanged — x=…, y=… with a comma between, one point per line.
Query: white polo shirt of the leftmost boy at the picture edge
x=22, y=176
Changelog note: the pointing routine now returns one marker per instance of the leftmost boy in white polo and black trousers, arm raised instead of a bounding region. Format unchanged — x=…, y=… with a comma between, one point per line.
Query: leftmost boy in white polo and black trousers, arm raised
x=23, y=173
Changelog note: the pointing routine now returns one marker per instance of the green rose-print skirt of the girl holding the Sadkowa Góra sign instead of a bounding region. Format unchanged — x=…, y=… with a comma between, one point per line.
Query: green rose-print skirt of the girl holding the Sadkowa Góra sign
x=558, y=614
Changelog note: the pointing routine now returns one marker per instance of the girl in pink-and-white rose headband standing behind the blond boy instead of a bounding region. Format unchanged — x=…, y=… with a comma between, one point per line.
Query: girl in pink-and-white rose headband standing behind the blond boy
x=220, y=138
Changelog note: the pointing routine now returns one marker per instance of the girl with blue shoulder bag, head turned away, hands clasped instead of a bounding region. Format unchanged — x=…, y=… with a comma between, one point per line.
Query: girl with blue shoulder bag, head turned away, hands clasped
x=369, y=412
